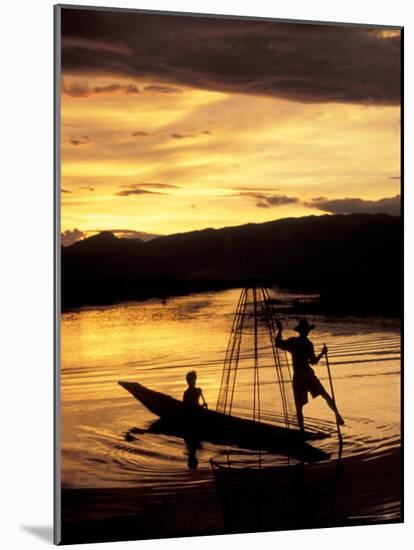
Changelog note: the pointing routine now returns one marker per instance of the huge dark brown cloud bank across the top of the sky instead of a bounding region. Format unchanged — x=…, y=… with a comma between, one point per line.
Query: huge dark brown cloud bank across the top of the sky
x=300, y=62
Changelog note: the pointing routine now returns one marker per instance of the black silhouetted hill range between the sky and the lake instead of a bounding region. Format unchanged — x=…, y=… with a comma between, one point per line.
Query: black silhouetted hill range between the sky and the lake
x=353, y=261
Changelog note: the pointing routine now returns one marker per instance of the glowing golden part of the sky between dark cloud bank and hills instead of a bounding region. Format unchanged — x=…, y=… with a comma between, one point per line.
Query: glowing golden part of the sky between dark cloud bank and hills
x=150, y=153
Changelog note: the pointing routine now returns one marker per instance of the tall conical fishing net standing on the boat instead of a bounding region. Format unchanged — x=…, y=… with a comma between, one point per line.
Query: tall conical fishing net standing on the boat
x=256, y=381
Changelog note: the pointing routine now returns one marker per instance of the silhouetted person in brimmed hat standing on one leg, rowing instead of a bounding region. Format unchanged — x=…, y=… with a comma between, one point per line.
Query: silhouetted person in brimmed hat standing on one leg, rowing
x=304, y=378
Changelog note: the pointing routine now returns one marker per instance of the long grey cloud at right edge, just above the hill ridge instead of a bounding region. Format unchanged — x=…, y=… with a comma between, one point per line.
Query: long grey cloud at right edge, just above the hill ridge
x=391, y=205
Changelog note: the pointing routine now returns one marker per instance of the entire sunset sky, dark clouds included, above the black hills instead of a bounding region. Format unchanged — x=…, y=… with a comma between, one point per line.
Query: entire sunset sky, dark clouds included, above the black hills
x=172, y=124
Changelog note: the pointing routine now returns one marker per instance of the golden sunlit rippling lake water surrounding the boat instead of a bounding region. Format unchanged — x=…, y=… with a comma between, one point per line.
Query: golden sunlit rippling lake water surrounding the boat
x=104, y=444
